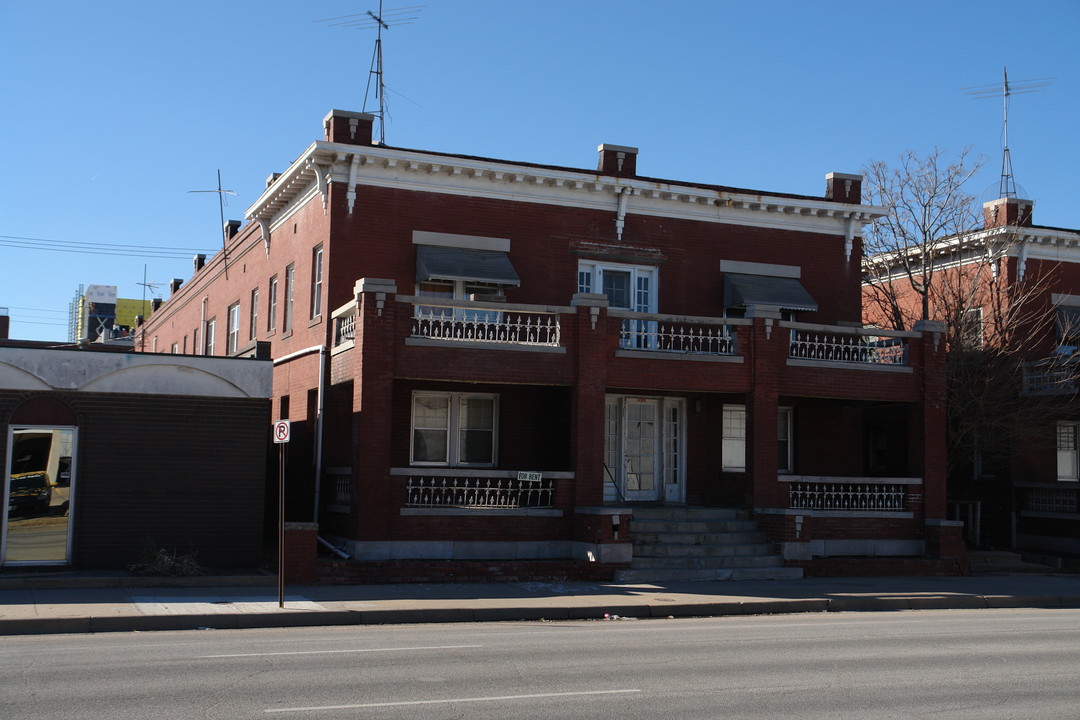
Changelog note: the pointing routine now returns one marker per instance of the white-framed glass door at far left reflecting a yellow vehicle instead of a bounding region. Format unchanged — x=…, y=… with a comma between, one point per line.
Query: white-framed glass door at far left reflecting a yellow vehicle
x=39, y=490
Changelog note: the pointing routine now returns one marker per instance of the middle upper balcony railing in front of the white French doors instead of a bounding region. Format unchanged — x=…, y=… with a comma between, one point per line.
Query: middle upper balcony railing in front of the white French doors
x=678, y=334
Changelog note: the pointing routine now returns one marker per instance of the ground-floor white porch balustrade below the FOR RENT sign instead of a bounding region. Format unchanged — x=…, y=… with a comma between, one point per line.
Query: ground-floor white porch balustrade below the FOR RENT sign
x=488, y=493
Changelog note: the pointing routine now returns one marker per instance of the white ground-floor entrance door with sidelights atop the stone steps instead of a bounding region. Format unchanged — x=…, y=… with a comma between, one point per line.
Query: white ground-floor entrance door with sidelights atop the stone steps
x=644, y=450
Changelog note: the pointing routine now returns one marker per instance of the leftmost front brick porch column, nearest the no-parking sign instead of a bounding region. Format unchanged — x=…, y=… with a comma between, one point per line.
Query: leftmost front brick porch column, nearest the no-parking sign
x=374, y=500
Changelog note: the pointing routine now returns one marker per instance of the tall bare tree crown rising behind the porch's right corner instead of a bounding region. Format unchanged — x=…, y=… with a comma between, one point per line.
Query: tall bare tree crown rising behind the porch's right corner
x=927, y=210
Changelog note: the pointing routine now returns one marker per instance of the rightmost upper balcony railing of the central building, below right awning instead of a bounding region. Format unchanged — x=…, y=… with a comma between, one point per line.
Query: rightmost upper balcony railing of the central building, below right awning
x=844, y=345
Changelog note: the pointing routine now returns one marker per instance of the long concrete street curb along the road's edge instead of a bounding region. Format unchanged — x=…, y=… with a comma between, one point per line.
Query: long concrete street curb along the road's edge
x=399, y=617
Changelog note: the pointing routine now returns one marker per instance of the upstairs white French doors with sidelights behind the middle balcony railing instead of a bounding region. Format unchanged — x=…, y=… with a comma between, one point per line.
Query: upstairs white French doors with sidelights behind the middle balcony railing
x=627, y=288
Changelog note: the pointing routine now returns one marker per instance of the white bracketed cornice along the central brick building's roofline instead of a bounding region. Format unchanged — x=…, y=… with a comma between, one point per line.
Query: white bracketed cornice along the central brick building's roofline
x=422, y=172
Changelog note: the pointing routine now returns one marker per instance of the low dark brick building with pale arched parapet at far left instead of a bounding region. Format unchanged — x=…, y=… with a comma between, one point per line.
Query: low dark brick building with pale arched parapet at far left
x=129, y=453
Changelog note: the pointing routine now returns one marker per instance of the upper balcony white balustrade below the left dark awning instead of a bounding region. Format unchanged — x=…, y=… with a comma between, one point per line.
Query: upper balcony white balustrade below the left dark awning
x=461, y=324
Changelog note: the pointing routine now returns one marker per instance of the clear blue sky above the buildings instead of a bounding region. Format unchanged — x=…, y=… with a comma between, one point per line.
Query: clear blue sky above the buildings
x=114, y=111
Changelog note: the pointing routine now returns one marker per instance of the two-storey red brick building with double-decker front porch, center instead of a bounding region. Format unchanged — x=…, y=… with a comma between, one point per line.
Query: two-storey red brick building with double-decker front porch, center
x=488, y=360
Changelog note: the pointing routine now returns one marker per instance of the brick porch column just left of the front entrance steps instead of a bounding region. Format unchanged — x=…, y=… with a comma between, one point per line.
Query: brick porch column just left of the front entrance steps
x=587, y=402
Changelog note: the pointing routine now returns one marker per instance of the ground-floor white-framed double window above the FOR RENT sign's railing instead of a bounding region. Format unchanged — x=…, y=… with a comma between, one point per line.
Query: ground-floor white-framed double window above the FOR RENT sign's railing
x=454, y=429
